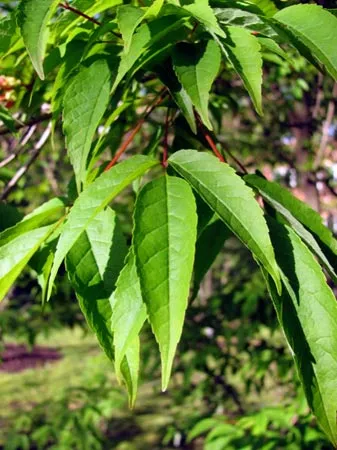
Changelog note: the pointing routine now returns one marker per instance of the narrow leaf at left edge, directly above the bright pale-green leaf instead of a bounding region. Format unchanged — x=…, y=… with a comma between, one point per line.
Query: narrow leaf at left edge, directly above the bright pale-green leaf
x=45, y=214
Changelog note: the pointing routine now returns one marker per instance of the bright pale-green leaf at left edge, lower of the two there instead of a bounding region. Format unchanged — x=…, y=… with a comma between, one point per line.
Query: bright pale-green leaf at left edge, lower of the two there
x=15, y=255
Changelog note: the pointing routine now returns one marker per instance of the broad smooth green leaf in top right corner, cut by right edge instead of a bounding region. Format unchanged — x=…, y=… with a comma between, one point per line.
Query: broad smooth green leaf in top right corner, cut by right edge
x=315, y=28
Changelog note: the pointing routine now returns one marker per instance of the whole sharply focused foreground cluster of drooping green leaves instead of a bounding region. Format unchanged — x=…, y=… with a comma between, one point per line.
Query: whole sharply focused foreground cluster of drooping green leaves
x=189, y=202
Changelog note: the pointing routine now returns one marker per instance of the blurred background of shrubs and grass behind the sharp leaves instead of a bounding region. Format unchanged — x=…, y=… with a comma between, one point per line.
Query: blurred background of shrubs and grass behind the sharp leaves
x=234, y=384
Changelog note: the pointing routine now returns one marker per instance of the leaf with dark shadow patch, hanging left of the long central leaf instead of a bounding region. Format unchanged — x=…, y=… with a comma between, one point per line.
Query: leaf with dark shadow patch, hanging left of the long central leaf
x=93, y=265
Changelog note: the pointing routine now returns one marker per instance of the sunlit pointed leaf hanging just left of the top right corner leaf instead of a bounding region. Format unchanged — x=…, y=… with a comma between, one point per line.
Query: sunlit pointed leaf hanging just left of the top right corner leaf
x=244, y=52
